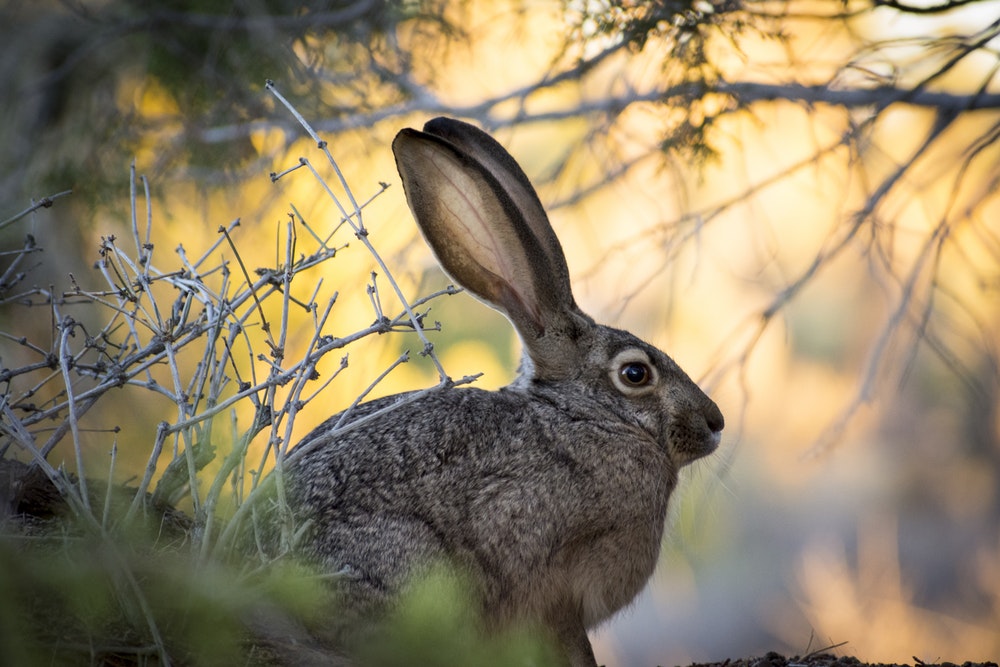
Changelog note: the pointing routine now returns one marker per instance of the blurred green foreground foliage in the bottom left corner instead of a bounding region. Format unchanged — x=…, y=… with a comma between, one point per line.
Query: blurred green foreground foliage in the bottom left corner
x=77, y=599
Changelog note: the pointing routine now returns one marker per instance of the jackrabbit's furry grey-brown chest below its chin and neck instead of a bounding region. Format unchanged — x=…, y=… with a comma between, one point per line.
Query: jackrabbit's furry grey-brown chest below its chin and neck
x=614, y=504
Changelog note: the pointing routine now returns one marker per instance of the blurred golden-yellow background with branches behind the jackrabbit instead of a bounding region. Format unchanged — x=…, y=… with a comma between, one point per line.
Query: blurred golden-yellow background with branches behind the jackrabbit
x=798, y=201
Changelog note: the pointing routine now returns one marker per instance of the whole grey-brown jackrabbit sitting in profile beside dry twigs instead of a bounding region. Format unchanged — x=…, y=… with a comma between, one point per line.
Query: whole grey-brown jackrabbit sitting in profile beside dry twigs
x=550, y=494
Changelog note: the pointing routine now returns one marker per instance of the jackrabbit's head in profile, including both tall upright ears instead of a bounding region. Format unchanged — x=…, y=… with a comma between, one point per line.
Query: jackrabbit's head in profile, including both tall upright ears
x=487, y=227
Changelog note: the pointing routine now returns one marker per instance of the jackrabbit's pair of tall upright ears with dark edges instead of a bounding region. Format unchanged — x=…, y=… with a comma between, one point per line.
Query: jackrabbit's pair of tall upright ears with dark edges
x=489, y=231
